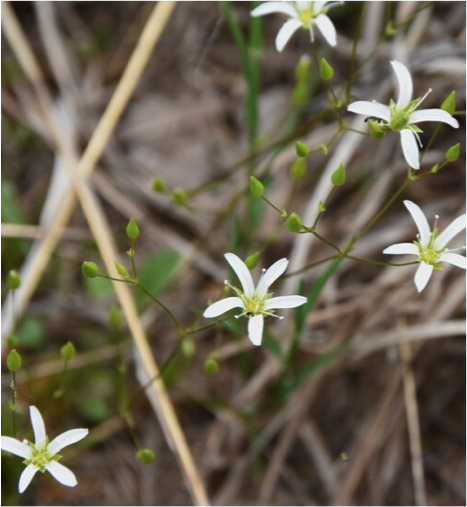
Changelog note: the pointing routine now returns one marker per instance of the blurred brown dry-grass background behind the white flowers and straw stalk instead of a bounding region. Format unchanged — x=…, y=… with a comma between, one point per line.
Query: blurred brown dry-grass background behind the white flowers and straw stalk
x=360, y=402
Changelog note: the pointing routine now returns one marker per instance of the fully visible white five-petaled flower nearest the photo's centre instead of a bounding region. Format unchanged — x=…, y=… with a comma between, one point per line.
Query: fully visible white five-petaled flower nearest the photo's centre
x=256, y=303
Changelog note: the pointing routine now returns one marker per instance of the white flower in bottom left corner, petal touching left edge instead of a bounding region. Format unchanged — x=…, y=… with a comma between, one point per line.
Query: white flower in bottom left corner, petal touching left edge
x=42, y=455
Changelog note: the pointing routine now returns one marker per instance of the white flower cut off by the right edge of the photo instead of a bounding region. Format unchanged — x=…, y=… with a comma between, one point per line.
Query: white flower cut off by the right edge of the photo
x=431, y=245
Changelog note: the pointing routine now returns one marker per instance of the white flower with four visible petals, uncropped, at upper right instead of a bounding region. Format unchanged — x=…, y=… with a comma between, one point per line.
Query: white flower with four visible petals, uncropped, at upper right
x=401, y=116
